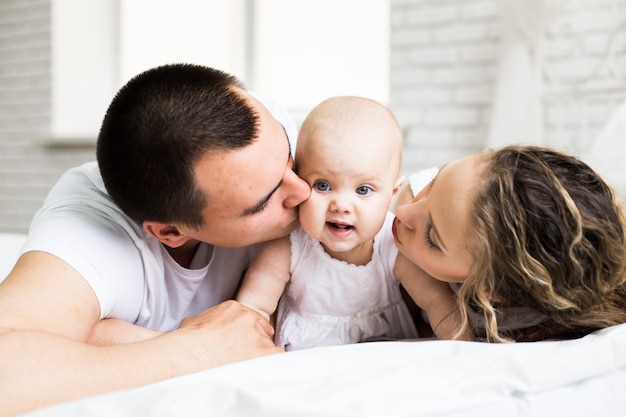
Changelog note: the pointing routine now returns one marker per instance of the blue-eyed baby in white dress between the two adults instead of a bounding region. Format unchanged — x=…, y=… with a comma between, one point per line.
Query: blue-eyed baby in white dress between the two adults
x=335, y=273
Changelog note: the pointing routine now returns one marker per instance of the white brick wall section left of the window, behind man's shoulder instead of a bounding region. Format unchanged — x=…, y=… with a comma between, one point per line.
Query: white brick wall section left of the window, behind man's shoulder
x=28, y=168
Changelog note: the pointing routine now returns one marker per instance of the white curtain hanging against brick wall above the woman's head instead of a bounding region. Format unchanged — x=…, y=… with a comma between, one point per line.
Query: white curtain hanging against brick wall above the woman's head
x=517, y=109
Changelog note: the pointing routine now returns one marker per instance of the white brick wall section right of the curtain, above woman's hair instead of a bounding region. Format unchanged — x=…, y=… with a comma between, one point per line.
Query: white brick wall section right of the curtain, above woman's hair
x=583, y=44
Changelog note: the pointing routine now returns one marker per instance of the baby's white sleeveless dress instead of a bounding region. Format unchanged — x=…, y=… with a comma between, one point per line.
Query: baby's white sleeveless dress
x=331, y=302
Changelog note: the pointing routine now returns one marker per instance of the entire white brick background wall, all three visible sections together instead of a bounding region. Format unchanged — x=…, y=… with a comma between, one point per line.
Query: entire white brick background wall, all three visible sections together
x=443, y=60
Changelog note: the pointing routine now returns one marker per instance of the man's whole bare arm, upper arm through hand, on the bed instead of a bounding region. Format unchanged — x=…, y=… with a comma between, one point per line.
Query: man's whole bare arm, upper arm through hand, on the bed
x=47, y=312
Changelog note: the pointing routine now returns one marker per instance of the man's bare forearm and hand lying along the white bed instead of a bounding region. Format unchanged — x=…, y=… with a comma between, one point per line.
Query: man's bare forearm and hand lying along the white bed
x=39, y=369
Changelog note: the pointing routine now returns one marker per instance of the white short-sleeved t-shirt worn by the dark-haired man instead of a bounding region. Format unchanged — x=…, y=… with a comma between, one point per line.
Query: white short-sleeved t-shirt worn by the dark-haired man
x=131, y=273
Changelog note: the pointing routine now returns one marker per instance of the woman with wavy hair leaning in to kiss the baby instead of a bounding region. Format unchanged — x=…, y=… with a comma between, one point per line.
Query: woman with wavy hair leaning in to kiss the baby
x=532, y=239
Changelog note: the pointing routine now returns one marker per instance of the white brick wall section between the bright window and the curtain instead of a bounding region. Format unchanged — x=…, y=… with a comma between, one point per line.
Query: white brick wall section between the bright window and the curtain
x=442, y=61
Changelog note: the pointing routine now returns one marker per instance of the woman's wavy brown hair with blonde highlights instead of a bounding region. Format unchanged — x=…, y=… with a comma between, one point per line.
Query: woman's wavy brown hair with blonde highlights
x=549, y=234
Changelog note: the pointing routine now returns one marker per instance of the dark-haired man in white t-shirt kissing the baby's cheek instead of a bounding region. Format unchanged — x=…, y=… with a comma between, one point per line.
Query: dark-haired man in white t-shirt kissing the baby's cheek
x=192, y=171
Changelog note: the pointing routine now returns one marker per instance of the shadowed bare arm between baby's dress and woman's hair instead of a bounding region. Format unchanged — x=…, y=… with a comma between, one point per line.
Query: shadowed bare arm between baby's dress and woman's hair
x=435, y=297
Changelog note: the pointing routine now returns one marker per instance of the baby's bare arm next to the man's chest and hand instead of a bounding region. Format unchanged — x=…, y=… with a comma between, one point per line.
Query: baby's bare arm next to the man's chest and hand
x=267, y=276
